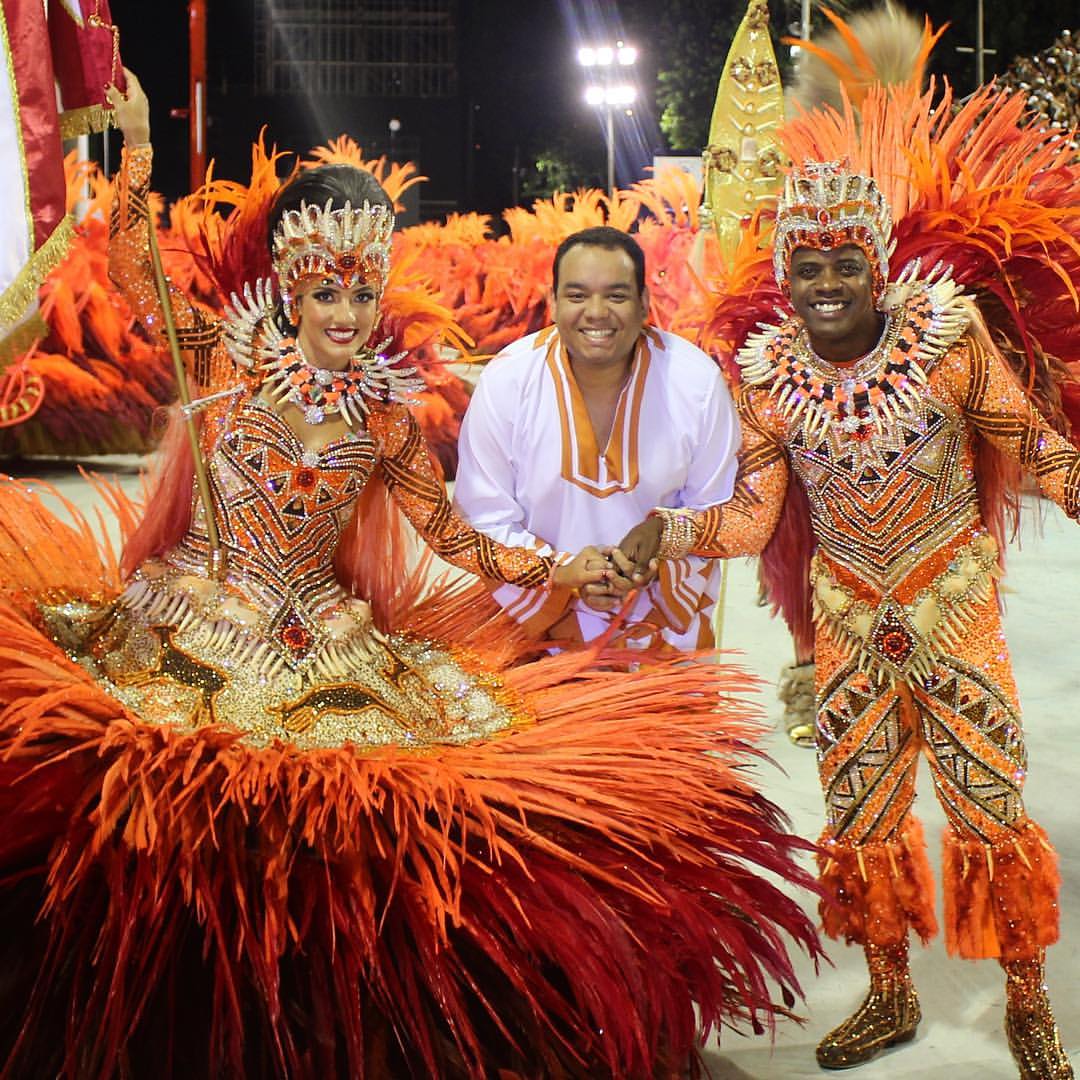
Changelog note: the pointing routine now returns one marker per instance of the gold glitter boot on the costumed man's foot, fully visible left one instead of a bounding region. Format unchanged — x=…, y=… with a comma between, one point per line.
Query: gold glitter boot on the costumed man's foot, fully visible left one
x=889, y=1016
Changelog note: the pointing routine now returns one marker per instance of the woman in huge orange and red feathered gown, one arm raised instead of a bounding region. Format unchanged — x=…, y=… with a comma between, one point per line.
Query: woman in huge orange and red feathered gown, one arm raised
x=254, y=827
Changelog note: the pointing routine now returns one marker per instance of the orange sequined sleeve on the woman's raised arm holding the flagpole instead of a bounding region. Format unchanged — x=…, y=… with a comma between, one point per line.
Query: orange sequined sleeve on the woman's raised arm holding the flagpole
x=132, y=272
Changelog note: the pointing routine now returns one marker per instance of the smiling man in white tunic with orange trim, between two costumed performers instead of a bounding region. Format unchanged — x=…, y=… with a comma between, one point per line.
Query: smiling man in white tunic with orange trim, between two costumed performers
x=576, y=433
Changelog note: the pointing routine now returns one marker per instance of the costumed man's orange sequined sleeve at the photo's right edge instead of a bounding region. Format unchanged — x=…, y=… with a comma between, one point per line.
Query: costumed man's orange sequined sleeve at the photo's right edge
x=1002, y=413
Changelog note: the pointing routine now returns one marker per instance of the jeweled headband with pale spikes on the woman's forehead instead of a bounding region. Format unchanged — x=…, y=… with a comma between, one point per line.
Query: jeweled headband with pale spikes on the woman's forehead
x=347, y=246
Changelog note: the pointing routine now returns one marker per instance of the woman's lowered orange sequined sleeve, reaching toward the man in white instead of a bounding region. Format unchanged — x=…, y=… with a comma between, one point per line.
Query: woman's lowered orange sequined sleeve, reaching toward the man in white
x=413, y=482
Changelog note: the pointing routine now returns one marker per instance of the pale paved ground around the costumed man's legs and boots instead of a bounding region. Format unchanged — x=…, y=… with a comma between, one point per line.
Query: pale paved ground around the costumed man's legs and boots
x=962, y=1037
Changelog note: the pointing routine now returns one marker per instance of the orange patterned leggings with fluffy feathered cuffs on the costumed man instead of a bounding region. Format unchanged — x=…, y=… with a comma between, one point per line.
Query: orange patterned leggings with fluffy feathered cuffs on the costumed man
x=1001, y=877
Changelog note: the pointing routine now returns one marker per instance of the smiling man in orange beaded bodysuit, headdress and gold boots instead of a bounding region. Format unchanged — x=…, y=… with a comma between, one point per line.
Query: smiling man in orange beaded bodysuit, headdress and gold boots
x=886, y=404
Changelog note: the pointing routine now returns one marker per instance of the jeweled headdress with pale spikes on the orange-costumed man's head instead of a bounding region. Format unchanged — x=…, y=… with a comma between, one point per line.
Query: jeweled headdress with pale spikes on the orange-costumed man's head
x=825, y=207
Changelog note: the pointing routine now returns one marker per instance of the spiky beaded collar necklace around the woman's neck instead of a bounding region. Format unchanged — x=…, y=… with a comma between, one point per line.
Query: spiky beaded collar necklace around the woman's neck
x=320, y=393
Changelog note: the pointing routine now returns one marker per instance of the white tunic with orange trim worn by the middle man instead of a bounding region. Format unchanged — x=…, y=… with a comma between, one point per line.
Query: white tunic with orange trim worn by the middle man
x=531, y=474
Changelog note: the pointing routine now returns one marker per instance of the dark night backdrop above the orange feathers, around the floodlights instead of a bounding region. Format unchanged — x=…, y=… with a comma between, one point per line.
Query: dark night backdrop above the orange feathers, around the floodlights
x=487, y=96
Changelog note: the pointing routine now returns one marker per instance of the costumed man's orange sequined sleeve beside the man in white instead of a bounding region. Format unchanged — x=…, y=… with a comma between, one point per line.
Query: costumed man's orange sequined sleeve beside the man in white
x=744, y=525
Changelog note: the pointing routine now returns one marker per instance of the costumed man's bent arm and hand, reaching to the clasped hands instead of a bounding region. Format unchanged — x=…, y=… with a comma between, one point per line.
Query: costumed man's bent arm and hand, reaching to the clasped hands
x=744, y=525
